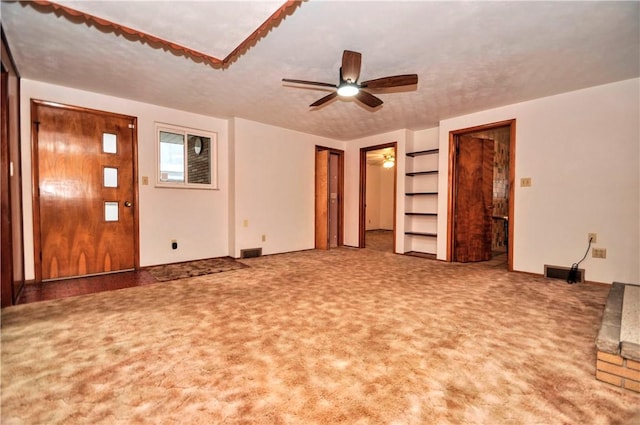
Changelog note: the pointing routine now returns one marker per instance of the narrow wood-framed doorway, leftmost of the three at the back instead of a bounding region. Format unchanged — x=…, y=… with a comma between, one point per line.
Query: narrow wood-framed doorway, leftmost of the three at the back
x=329, y=195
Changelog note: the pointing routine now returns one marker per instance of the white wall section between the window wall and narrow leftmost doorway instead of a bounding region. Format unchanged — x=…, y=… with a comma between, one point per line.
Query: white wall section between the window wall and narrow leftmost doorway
x=274, y=187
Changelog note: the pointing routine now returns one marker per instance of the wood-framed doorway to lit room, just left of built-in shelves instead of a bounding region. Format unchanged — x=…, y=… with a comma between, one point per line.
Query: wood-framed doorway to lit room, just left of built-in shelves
x=377, y=228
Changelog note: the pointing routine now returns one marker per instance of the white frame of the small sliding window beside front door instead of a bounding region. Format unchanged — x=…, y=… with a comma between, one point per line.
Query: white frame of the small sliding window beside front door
x=186, y=132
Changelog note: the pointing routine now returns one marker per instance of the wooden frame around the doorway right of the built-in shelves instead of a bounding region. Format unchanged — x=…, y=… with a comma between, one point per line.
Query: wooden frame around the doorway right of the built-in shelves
x=453, y=135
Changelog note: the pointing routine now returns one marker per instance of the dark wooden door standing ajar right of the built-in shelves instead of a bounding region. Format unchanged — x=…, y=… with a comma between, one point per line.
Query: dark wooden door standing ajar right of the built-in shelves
x=474, y=199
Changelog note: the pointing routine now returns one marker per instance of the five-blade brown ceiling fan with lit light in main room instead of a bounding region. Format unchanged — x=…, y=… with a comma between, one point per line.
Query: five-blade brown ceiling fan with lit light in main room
x=349, y=86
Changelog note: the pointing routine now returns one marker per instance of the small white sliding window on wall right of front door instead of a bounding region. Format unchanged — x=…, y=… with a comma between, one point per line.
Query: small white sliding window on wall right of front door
x=186, y=157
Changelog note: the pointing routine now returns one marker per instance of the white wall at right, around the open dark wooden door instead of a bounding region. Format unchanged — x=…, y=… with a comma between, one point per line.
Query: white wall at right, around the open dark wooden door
x=582, y=152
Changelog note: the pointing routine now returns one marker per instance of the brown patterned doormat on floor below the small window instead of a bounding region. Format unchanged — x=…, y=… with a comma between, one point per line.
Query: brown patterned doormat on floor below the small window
x=186, y=269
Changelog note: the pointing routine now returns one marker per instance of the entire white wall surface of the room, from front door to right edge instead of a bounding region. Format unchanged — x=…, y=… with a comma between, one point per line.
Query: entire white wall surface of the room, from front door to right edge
x=581, y=149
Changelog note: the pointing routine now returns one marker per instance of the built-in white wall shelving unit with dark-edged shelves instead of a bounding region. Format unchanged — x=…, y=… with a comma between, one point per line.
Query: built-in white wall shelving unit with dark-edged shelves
x=421, y=203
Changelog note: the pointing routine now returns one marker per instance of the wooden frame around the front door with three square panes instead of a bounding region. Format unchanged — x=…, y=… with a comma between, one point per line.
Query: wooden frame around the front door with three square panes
x=35, y=180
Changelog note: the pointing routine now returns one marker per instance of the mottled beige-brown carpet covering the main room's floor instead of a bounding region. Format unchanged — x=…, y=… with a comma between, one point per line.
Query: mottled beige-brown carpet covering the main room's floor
x=346, y=336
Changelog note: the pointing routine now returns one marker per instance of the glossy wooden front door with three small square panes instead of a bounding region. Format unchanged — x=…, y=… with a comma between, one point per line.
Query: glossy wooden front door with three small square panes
x=86, y=191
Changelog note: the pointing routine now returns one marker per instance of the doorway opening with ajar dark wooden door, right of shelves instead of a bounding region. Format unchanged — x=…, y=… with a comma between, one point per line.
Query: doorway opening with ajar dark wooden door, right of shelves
x=481, y=188
